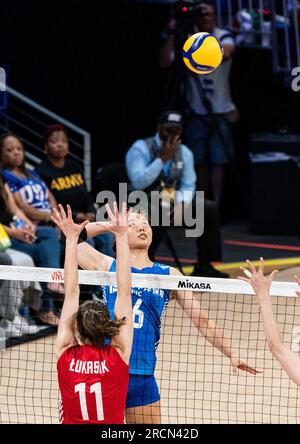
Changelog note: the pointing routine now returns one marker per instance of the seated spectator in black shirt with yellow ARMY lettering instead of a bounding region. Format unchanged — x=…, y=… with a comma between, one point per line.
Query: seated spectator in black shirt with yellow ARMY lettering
x=65, y=179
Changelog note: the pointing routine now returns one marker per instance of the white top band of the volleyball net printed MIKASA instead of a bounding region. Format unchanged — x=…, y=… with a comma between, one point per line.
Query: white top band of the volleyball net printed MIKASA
x=199, y=284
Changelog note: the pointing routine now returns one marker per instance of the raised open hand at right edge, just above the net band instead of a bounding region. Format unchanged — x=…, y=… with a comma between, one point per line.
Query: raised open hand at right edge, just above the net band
x=261, y=284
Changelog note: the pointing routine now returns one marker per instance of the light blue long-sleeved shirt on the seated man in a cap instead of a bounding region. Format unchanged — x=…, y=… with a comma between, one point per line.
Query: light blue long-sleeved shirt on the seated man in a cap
x=143, y=171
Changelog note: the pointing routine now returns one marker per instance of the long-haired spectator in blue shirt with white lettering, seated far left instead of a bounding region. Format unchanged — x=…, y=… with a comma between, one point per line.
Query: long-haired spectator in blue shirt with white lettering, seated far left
x=30, y=191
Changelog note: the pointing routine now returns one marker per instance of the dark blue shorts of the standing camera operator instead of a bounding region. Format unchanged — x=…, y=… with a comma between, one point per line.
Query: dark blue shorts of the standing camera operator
x=205, y=143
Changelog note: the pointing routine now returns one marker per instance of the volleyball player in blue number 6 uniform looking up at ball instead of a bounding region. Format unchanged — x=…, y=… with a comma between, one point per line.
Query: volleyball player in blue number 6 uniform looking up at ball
x=143, y=400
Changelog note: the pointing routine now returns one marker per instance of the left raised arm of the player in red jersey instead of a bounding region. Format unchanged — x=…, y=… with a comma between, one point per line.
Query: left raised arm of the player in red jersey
x=66, y=327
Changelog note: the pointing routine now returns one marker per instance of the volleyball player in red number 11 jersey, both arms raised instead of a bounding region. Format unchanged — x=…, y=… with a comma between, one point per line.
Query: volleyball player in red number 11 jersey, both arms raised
x=93, y=377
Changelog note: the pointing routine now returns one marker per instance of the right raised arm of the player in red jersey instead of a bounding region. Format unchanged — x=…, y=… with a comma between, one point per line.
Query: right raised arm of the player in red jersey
x=123, y=305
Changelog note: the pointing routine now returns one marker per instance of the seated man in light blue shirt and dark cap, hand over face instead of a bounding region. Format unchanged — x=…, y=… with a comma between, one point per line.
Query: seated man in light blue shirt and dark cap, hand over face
x=163, y=163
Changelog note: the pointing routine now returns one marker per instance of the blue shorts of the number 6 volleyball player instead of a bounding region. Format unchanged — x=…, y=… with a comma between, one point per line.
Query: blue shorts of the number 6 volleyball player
x=142, y=390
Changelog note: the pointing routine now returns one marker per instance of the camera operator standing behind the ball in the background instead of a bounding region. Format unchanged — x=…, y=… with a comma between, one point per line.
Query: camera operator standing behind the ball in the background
x=210, y=111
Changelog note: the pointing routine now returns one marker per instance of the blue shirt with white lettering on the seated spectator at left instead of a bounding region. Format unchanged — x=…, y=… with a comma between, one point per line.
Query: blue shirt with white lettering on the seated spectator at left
x=33, y=189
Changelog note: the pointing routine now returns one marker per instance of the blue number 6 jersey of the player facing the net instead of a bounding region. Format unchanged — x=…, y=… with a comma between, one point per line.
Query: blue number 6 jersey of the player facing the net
x=148, y=306
